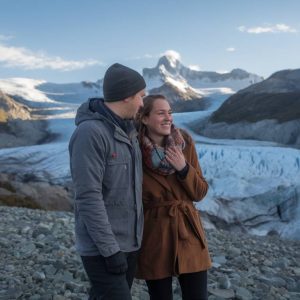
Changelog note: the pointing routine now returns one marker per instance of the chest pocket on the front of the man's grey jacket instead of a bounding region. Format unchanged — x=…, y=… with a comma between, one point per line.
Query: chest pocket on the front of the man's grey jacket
x=116, y=175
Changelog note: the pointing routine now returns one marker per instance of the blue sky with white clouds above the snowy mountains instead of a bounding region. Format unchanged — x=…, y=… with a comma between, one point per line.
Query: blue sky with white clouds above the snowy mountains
x=75, y=40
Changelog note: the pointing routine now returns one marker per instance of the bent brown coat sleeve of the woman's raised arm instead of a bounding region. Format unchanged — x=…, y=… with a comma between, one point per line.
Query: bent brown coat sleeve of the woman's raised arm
x=194, y=183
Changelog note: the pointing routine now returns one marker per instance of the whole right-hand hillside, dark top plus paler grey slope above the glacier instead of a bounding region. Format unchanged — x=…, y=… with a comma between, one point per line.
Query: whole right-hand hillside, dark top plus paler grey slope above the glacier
x=268, y=111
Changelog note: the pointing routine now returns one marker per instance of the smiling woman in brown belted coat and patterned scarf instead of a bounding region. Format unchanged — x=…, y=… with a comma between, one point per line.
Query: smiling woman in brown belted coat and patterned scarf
x=174, y=242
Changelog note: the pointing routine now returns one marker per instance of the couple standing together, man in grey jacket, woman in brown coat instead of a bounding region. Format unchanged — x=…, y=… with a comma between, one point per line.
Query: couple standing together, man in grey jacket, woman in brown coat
x=136, y=176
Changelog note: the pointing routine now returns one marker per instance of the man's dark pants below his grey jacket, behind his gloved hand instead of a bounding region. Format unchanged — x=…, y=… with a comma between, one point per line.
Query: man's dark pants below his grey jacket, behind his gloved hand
x=107, y=286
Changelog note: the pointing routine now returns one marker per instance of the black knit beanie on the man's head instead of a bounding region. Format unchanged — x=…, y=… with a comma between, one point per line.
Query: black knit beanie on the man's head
x=121, y=82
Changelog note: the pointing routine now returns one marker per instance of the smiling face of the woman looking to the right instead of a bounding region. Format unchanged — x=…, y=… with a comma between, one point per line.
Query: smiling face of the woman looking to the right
x=160, y=119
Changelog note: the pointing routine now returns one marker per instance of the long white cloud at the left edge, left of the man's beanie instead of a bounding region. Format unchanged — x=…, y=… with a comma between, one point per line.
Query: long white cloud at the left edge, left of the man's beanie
x=26, y=59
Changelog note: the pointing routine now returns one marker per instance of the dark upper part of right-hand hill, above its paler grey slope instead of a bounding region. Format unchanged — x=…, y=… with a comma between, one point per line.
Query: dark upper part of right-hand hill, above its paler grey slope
x=277, y=97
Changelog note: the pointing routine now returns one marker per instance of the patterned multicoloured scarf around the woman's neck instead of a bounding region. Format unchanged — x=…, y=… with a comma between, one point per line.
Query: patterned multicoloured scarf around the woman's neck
x=154, y=156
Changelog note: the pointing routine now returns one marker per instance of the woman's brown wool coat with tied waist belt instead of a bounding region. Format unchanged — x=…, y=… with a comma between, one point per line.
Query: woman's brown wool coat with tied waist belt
x=174, y=240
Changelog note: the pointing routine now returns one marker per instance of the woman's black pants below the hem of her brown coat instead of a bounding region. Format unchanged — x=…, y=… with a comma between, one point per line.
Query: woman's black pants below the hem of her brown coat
x=193, y=287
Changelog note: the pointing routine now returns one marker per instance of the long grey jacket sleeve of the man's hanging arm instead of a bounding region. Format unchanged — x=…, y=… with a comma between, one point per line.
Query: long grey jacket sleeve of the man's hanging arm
x=87, y=160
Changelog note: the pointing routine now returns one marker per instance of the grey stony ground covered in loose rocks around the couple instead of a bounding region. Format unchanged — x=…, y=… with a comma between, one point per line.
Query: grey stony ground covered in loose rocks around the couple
x=38, y=261
